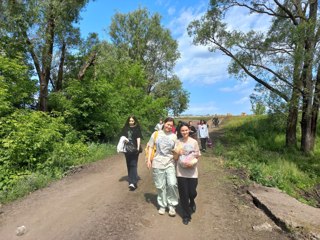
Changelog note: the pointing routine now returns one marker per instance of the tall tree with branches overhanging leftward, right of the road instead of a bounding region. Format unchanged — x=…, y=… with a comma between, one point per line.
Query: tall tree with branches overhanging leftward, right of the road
x=283, y=60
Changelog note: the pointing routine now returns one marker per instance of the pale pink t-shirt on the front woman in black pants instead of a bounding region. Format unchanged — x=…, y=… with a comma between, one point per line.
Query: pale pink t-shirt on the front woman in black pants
x=191, y=147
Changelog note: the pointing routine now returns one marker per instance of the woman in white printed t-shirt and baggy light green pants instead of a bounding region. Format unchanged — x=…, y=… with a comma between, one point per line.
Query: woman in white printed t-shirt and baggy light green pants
x=163, y=168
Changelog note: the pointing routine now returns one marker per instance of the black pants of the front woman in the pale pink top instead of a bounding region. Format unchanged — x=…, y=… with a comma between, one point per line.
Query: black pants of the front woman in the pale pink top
x=187, y=192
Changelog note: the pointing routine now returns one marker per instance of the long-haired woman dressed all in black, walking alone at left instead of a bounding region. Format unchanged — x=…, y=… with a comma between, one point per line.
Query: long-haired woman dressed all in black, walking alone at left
x=132, y=132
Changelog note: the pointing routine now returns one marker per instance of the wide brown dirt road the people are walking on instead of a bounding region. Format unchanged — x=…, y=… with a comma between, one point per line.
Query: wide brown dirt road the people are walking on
x=95, y=203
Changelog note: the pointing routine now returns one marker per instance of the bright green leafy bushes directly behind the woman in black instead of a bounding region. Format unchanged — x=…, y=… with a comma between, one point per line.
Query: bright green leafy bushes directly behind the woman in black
x=99, y=104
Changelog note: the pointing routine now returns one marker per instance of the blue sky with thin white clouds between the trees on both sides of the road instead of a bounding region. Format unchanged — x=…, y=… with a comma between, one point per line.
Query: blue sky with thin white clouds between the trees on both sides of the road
x=203, y=73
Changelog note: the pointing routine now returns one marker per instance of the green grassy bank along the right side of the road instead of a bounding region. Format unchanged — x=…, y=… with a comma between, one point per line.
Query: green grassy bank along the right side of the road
x=257, y=144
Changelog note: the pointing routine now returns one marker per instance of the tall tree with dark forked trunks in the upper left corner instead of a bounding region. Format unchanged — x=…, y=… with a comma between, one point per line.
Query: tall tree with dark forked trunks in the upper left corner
x=52, y=22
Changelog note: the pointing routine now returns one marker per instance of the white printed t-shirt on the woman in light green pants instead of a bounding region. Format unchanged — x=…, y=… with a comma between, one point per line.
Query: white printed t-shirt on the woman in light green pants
x=165, y=143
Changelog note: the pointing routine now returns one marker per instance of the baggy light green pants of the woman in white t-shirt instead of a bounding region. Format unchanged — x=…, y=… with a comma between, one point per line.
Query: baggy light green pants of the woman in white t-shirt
x=165, y=181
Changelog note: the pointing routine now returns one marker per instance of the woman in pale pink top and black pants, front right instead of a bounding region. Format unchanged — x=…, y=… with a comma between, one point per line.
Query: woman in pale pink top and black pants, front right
x=187, y=172
